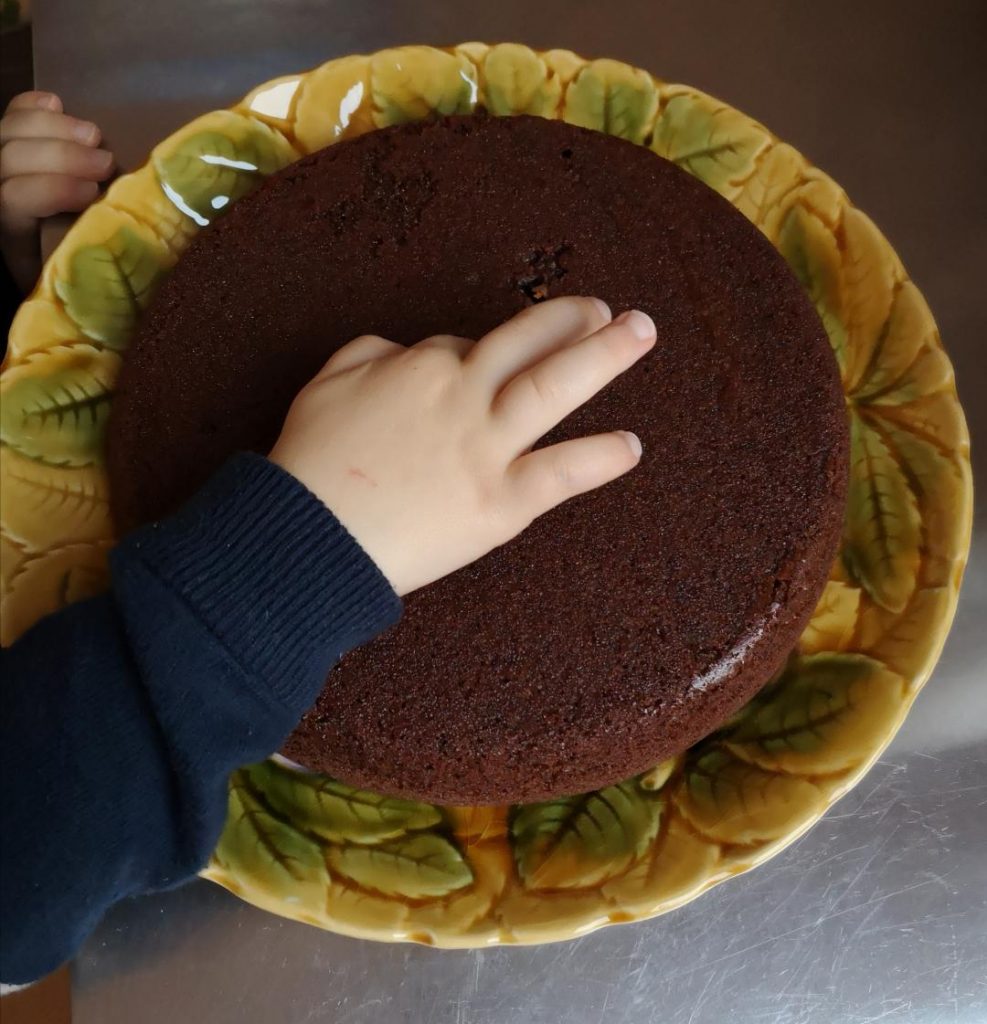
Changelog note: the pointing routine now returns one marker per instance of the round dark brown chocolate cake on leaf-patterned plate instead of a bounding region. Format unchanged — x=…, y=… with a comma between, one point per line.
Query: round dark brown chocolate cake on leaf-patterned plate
x=623, y=626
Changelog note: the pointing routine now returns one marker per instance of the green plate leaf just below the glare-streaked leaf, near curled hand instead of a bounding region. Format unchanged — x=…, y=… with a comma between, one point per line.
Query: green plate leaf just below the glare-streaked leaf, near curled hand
x=109, y=285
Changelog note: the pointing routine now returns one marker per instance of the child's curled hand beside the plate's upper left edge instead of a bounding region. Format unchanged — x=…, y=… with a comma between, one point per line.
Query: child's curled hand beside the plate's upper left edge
x=50, y=164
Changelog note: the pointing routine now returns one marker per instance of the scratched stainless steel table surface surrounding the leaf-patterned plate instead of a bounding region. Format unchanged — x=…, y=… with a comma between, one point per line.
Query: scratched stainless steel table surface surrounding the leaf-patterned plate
x=881, y=912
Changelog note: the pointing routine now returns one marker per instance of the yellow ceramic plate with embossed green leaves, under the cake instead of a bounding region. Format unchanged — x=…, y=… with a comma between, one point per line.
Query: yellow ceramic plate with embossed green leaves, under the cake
x=311, y=848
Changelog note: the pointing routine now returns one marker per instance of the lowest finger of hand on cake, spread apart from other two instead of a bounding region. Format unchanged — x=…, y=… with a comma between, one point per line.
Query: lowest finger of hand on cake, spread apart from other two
x=549, y=477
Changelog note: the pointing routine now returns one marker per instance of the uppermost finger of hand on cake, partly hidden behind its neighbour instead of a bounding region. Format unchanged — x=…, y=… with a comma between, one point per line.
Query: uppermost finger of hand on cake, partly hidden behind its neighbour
x=529, y=337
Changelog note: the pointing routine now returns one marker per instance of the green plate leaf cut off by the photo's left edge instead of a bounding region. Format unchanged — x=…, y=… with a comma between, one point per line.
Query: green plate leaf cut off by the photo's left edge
x=56, y=405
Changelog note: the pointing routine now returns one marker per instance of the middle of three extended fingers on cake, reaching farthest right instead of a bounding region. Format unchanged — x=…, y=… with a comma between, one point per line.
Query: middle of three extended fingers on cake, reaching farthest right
x=544, y=396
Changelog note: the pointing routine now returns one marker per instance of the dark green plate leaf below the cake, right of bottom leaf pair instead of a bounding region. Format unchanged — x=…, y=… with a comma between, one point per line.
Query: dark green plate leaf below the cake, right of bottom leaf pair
x=581, y=841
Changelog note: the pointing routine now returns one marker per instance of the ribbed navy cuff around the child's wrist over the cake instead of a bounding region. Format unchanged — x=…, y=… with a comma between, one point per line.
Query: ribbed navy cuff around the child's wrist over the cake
x=273, y=573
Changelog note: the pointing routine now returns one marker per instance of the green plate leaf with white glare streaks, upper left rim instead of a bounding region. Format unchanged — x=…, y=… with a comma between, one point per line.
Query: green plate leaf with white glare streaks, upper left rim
x=206, y=173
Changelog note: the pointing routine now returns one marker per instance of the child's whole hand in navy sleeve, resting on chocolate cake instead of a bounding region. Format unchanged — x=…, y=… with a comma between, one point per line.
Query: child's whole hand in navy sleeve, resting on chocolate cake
x=424, y=453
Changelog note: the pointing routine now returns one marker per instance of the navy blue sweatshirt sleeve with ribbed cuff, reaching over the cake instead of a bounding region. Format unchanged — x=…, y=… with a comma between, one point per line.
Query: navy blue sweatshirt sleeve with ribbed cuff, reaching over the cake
x=123, y=716
